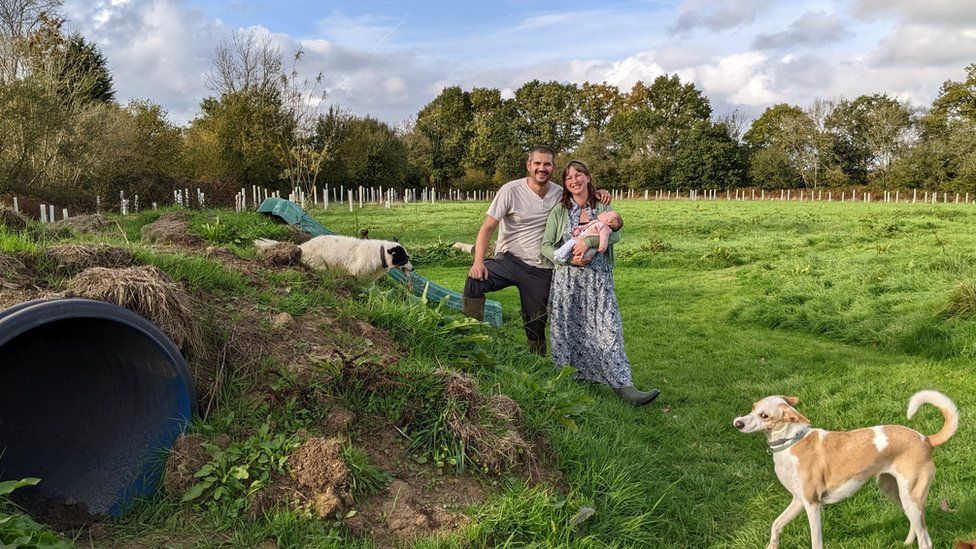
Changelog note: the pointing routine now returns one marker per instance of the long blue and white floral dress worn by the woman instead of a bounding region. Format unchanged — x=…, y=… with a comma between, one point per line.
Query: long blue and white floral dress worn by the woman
x=585, y=324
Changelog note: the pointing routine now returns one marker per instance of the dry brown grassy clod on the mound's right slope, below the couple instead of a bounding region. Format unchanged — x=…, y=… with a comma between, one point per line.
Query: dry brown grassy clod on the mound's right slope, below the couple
x=488, y=426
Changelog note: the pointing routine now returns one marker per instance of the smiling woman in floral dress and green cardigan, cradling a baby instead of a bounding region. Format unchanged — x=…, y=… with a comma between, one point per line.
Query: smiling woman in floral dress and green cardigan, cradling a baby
x=586, y=330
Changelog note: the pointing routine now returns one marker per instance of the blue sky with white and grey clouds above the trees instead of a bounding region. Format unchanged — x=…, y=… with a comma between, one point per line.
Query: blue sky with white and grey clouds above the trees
x=388, y=58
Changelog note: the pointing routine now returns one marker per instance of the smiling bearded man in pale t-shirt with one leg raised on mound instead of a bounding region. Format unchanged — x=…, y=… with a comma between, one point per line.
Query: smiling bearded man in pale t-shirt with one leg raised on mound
x=519, y=213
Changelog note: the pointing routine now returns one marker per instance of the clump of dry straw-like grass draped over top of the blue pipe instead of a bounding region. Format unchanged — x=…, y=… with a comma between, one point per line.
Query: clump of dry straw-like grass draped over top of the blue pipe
x=145, y=290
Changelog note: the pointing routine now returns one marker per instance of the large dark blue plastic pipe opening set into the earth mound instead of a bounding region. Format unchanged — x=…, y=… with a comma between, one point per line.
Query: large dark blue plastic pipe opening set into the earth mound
x=92, y=395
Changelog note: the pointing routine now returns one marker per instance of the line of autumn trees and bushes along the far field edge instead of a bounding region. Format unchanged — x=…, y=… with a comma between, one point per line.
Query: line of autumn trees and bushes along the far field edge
x=64, y=137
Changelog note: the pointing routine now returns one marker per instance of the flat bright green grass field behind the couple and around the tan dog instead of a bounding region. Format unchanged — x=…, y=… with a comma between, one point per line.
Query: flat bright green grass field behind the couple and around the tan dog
x=851, y=307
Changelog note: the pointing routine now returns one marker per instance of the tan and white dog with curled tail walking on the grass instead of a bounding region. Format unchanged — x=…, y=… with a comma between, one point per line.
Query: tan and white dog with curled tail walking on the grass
x=820, y=467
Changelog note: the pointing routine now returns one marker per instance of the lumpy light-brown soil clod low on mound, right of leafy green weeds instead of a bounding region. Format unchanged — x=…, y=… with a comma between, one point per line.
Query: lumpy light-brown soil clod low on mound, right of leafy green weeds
x=318, y=465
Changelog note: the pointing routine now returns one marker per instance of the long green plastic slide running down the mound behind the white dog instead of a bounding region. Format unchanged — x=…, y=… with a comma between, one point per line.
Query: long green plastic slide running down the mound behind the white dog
x=295, y=216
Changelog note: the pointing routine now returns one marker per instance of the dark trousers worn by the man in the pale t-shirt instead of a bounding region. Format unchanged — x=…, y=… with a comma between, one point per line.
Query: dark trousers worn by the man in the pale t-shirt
x=533, y=284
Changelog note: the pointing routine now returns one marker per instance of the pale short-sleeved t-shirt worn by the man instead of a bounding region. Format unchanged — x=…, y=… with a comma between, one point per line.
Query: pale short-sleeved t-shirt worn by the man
x=522, y=216
